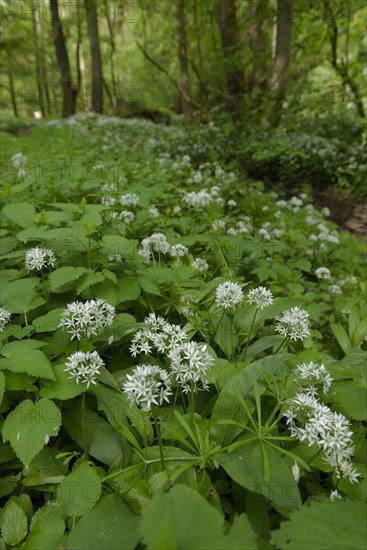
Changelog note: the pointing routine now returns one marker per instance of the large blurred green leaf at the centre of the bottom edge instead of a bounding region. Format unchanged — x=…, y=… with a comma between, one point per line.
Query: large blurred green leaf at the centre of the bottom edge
x=182, y=519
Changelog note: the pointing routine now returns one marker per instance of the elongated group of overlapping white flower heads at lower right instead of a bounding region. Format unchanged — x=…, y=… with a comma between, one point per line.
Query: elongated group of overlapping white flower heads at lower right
x=315, y=423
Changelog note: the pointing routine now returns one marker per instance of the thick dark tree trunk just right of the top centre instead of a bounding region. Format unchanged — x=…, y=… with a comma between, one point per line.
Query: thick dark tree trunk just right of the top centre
x=232, y=53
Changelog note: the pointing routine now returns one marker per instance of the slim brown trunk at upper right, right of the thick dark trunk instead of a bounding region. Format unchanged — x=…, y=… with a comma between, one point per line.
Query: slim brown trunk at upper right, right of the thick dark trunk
x=282, y=57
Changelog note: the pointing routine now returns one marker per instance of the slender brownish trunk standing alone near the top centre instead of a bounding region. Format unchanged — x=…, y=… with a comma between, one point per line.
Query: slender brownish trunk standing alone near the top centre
x=184, y=66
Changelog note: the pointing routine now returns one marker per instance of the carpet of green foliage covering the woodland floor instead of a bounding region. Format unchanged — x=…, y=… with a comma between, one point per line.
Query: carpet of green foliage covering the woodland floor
x=208, y=468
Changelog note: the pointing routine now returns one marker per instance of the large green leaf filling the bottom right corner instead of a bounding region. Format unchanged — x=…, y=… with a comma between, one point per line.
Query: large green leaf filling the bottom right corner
x=328, y=525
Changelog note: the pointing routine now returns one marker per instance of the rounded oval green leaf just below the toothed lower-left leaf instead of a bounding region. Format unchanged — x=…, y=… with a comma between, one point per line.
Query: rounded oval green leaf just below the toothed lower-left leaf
x=79, y=491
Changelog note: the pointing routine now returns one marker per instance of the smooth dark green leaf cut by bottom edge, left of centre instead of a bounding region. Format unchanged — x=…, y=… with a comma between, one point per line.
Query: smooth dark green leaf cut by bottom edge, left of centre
x=111, y=524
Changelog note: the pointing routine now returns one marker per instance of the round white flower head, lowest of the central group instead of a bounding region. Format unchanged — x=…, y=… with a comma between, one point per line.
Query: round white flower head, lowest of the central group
x=148, y=385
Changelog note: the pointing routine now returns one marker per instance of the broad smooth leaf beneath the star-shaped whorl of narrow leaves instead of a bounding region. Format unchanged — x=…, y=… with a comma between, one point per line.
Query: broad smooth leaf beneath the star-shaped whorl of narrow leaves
x=245, y=465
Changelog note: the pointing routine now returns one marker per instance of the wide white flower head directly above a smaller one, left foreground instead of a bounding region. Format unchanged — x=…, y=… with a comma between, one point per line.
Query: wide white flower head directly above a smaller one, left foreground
x=86, y=318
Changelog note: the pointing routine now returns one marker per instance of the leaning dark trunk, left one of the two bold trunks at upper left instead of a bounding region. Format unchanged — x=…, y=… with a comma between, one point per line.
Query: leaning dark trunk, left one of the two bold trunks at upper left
x=68, y=94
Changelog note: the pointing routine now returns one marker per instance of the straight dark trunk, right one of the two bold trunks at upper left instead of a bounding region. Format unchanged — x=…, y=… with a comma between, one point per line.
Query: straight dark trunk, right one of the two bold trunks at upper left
x=95, y=51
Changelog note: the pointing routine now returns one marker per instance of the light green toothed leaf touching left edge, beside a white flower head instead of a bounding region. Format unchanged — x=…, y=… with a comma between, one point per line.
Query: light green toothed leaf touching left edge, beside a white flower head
x=22, y=357
